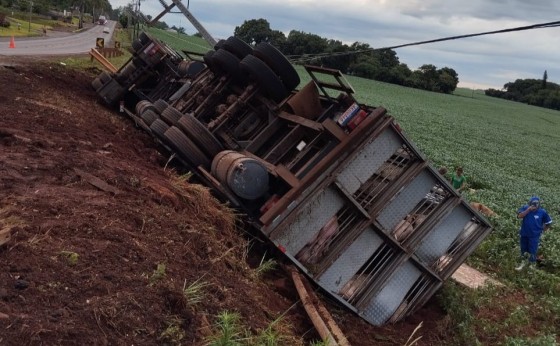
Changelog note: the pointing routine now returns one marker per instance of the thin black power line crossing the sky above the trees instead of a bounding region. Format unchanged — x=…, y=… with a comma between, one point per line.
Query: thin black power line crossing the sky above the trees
x=309, y=57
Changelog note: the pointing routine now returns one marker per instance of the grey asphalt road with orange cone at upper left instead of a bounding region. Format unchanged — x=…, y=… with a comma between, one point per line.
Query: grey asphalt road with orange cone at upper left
x=58, y=43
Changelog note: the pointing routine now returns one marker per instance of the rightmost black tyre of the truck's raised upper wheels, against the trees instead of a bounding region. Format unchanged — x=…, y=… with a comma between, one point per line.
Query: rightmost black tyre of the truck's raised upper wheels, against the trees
x=278, y=63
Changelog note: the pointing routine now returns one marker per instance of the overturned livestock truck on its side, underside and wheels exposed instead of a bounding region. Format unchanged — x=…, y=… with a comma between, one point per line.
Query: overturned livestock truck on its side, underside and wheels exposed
x=333, y=183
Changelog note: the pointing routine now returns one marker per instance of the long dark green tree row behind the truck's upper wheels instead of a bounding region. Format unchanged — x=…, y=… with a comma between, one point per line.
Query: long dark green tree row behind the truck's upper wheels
x=358, y=59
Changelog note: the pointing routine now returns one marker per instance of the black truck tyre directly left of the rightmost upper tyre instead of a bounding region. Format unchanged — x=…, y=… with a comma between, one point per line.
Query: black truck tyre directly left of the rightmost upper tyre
x=269, y=82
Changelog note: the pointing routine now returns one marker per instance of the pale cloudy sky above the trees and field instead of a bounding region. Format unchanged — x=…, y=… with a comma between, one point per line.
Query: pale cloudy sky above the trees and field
x=481, y=62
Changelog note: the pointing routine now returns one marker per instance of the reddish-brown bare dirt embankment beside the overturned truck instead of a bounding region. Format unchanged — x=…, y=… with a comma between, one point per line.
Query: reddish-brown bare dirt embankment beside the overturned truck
x=105, y=234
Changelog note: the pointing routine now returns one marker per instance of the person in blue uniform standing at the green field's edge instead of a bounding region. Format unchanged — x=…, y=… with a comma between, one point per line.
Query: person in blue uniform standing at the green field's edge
x=535, y=220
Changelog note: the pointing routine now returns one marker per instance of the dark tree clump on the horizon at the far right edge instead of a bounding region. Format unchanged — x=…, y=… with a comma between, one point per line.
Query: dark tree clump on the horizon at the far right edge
x=536, y=92
